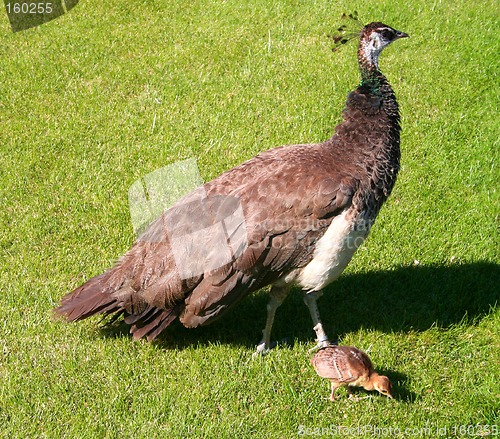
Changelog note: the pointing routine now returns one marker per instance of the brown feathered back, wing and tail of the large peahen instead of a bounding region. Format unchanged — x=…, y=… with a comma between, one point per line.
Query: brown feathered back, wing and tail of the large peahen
x=287, y=198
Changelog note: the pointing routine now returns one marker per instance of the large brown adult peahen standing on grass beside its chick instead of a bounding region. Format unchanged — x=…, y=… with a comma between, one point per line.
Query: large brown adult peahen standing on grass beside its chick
x=306, y=209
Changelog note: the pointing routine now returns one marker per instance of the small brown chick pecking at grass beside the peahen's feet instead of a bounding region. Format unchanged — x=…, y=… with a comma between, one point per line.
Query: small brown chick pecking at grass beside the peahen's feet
x=349, y=366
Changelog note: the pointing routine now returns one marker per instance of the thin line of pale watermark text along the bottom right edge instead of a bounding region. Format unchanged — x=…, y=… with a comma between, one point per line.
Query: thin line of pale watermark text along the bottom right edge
x=479, y=430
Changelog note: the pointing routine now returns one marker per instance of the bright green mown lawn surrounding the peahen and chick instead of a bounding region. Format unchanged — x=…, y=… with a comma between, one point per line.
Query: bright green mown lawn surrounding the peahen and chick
x=111, y=91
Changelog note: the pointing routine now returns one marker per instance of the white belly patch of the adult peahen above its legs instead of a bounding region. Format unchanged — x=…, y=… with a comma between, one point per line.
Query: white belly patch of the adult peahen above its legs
x=333, y=252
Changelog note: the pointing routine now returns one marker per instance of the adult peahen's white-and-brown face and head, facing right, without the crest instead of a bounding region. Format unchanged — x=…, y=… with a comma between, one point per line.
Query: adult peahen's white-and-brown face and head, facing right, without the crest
x=374, y=38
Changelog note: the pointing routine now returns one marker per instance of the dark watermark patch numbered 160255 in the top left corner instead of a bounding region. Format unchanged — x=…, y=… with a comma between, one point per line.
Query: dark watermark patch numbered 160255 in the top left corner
x=24, y=14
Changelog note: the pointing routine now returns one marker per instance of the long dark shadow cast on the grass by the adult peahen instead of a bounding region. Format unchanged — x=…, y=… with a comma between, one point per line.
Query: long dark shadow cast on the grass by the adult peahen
x=407, y=298
